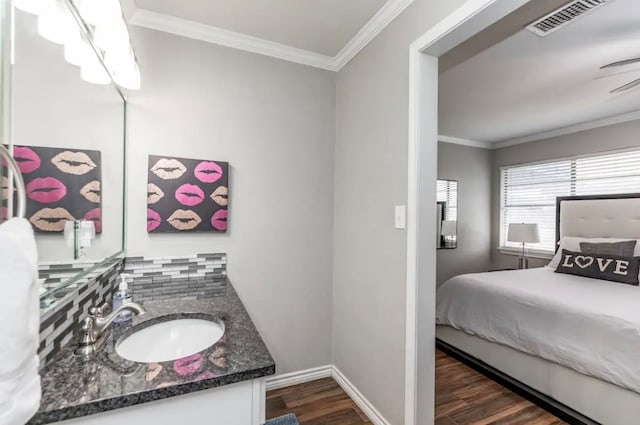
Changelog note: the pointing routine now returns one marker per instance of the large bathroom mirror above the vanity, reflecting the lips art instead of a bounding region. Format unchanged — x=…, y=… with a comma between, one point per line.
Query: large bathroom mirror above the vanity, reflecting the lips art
x=66, y=130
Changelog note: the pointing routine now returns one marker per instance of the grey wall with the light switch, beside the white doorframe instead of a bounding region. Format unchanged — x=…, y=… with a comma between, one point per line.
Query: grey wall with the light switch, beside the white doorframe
x=370, y=178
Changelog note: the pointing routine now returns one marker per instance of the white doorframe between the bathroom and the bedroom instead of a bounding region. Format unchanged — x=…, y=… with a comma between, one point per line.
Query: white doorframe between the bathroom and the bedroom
x=463, y=23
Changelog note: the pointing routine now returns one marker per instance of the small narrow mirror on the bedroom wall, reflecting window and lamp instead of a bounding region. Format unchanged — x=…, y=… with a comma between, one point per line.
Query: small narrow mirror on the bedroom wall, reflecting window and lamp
x=447, y=214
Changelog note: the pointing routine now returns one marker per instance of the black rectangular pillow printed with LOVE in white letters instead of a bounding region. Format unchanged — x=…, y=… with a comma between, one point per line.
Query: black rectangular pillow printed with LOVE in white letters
x=600, y=266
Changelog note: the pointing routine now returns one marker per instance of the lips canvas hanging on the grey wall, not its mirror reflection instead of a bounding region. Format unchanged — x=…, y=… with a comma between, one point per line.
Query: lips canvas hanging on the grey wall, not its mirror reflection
x=187, y=195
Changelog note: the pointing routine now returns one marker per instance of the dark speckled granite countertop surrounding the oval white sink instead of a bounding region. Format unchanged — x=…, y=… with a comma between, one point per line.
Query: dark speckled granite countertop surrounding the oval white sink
x=75, y=386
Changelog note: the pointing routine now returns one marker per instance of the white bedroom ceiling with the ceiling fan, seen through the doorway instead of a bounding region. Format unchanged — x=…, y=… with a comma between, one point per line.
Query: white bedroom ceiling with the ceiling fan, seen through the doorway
x=528, y=85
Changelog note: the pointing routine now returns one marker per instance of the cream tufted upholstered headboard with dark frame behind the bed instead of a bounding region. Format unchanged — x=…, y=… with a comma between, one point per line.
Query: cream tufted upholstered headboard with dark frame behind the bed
x=599, y=216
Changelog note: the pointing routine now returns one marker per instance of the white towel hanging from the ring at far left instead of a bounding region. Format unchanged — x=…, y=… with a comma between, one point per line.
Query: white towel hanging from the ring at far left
x=19, y=323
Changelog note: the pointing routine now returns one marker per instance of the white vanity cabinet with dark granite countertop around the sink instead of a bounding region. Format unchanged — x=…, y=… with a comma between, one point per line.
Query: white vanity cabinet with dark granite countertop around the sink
x=224, y=384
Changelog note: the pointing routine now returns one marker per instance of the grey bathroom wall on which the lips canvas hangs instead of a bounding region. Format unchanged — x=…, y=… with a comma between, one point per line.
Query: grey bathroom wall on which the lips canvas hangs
x=274, y=122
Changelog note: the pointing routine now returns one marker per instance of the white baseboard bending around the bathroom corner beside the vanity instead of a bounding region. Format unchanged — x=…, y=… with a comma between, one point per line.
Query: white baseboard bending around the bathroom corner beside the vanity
x=308, y=375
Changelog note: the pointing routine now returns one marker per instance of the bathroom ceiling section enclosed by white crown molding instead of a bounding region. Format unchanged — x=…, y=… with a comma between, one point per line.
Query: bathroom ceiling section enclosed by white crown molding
x=323, y=27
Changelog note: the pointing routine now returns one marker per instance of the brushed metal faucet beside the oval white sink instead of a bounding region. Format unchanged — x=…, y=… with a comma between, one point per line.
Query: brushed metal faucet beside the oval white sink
x=94, y=326
